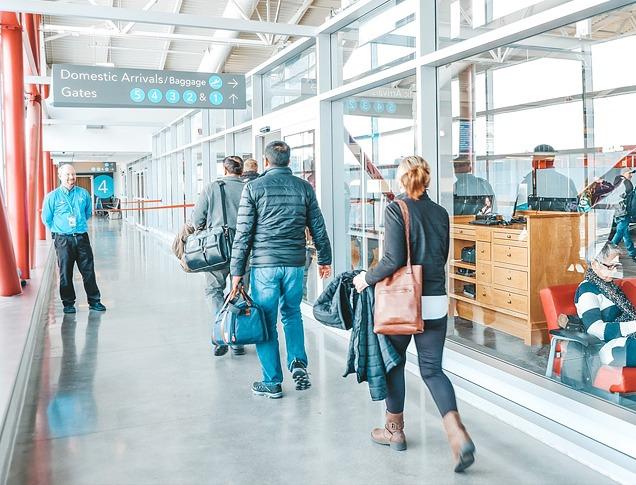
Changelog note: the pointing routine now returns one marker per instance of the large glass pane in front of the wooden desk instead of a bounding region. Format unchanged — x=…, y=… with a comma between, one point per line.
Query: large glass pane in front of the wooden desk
x=533, y=137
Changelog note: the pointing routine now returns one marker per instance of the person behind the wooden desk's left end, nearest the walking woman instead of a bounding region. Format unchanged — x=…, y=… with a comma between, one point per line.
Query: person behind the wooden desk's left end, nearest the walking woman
x=471, y=194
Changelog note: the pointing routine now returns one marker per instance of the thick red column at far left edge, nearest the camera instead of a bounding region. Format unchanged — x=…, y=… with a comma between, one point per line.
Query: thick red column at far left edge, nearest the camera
x=13, y=115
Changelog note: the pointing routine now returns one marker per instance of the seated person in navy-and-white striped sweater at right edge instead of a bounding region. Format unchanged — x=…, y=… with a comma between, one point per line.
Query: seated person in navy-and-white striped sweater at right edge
x=606, y=312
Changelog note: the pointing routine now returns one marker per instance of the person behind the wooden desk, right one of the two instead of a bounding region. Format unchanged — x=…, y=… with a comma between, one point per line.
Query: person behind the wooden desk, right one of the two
x=548, y=183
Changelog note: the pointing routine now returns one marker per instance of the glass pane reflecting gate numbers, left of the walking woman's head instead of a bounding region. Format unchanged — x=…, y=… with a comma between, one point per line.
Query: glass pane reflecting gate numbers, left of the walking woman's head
x=379, y=129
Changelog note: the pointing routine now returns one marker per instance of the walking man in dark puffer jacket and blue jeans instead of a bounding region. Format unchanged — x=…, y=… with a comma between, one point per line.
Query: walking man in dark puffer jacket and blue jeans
x=274, y=212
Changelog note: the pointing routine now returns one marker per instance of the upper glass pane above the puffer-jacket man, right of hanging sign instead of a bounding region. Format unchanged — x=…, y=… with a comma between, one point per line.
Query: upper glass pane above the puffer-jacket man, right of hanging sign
x=290, y=82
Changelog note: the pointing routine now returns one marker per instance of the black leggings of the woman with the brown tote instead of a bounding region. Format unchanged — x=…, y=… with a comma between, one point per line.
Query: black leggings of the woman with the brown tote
x=430, y=346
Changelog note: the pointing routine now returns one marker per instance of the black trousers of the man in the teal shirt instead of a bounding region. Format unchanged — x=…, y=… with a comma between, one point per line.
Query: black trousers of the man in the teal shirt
x=73, y=249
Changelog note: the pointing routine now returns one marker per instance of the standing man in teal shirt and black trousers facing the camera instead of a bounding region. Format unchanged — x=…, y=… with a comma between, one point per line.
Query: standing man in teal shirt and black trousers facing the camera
x=65, y=211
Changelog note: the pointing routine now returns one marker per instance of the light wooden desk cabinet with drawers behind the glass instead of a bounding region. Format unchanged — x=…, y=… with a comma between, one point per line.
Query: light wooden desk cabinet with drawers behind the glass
x=512, y=263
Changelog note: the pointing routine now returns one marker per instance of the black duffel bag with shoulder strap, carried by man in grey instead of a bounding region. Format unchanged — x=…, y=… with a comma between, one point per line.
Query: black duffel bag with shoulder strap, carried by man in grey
x=210, y=249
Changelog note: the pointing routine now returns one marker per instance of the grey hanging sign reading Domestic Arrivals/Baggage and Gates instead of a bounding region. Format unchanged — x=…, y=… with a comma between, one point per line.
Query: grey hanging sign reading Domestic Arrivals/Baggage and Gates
x=103, y=87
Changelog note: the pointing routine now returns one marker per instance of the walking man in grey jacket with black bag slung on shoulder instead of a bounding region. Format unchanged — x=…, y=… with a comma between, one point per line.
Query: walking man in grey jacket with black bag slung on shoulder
x=208, y=212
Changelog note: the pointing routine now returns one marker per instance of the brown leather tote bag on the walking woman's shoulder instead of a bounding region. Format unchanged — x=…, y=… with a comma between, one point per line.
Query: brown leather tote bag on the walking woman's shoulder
x=398, y=298
